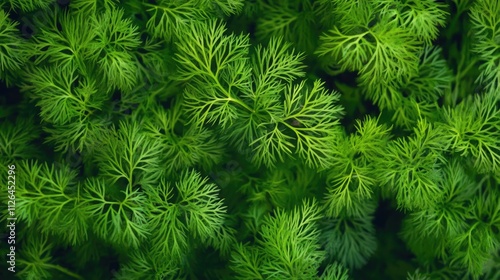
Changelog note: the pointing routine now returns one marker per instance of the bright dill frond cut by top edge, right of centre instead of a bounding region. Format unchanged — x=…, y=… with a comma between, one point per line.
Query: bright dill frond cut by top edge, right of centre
x=385, y=42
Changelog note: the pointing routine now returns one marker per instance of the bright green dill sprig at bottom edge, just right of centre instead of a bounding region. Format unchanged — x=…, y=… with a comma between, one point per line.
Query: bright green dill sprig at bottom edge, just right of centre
x=295, y=233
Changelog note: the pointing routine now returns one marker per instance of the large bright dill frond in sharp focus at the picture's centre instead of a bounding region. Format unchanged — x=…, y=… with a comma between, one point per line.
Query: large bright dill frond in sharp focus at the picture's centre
x=279, y=121
